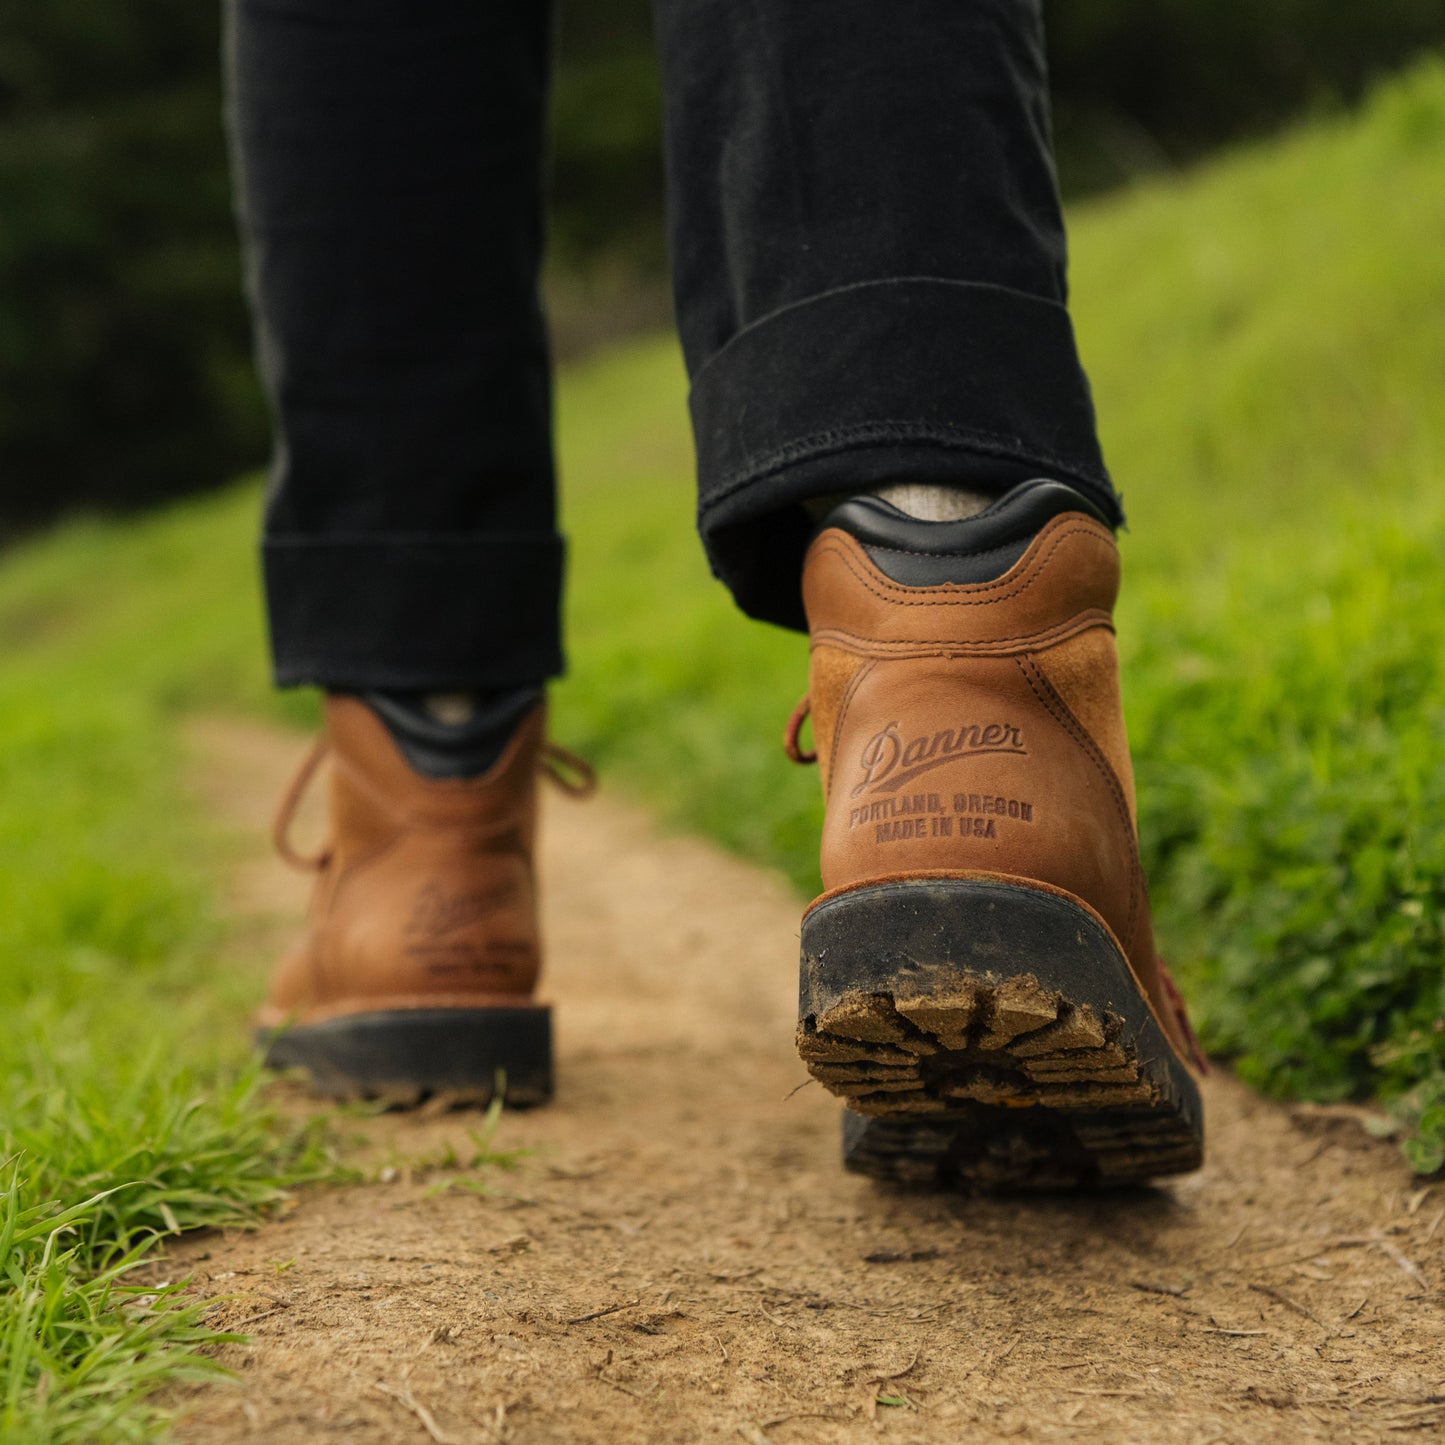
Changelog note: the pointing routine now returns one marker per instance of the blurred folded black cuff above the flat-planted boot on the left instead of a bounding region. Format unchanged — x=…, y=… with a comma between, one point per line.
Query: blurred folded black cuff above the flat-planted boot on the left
x=414, y=612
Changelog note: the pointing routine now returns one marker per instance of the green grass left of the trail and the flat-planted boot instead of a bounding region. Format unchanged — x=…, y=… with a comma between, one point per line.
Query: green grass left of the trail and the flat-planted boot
x=131, y=1109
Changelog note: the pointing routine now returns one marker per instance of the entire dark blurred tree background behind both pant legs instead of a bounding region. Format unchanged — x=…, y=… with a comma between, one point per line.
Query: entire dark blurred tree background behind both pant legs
x=125, y=353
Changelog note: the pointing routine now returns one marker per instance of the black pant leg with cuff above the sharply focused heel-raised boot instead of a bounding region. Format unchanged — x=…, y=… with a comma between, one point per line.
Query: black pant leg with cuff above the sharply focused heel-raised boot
x=869, y=264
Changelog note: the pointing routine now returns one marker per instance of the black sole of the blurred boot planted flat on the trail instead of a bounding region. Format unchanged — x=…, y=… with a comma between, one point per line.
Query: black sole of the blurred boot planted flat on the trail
x=410, y=1056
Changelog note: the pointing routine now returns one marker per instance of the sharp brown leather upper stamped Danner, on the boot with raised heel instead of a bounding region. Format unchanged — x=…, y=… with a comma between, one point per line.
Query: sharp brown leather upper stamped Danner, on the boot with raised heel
x=978, y=729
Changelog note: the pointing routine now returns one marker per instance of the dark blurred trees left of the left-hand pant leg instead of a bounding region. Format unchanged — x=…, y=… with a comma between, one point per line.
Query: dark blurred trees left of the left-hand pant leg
x=125, y=358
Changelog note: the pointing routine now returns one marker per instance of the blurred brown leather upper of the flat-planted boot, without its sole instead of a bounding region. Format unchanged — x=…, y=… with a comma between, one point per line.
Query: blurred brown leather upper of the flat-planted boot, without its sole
x=427, y=895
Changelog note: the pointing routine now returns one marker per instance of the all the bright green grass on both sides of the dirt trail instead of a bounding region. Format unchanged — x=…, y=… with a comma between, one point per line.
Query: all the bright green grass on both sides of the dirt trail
x=1267, y=352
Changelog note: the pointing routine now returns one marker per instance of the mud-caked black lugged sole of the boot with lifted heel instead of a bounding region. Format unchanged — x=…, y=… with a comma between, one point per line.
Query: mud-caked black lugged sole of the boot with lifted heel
x=989, y=1037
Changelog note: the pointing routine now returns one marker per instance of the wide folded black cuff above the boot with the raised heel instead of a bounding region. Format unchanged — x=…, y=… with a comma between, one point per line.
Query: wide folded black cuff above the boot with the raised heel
x=905, y=379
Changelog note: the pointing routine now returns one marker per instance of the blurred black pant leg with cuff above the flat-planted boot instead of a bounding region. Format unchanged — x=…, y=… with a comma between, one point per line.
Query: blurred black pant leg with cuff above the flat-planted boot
x=389, y=173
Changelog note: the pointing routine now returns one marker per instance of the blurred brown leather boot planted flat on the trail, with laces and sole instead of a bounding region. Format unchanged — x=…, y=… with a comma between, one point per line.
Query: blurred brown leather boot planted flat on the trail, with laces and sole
x=417, y=972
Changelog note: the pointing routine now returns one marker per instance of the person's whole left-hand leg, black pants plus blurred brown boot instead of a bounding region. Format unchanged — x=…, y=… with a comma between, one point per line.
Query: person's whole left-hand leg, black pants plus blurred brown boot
x=389, y=177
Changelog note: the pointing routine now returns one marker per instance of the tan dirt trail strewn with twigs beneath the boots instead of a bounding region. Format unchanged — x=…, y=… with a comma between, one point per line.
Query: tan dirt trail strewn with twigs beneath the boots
x=683, y=1259
